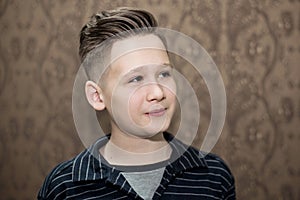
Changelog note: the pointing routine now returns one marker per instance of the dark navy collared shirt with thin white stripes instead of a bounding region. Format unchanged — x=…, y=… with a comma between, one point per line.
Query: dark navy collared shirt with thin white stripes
x=188, y=175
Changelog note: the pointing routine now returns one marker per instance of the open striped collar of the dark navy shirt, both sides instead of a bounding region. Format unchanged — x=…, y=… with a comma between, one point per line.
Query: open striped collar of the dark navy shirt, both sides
x=90, y=165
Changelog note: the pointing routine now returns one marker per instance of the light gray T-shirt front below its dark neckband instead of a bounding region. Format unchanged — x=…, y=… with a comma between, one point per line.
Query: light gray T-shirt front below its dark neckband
x=145, y=183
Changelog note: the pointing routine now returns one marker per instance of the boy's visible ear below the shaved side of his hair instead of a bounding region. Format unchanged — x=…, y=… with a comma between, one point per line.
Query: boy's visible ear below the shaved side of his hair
x=94, y=95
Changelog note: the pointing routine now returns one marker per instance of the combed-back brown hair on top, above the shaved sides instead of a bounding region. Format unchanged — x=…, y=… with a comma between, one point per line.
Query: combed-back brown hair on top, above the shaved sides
x=113, y=23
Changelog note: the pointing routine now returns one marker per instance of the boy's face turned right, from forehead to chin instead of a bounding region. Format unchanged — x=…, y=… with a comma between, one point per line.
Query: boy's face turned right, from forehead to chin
x=139, y=90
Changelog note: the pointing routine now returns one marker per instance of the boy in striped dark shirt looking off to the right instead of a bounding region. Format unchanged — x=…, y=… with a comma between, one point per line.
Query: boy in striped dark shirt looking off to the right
x=138, y=160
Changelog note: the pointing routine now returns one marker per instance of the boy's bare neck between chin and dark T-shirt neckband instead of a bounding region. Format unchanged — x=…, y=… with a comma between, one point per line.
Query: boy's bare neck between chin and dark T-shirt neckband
x=125, y=149
